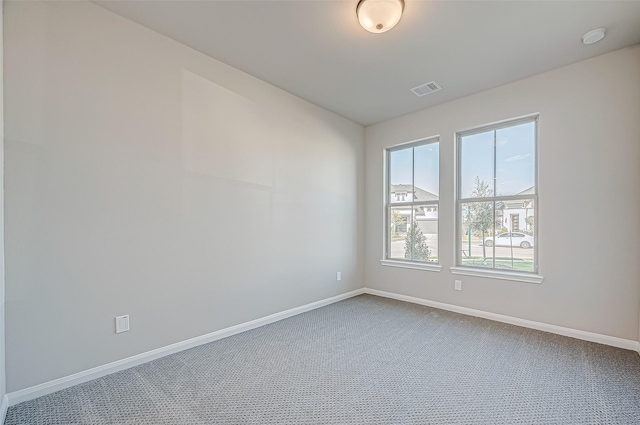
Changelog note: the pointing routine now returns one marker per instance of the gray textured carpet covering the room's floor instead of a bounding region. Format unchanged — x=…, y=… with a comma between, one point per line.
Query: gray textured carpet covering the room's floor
x=366, y=360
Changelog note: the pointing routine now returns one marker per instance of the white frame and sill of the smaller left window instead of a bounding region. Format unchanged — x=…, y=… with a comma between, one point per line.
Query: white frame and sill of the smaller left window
x=388, y=205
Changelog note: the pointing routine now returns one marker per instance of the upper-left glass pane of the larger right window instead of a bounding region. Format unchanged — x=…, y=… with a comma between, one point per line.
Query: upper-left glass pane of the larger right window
x=476, y=165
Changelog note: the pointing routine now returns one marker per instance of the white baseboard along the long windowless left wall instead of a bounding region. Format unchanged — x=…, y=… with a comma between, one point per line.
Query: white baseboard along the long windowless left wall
x=36, y=391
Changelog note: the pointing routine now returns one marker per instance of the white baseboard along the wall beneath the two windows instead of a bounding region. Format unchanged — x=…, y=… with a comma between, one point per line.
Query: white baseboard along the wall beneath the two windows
x=573, y=333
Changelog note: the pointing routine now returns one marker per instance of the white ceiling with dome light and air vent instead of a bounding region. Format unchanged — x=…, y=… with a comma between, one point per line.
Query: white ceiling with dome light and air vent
x=318, y=51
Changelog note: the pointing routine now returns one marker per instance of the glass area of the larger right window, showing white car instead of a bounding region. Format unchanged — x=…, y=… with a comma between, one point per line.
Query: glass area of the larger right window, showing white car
x=497, y=197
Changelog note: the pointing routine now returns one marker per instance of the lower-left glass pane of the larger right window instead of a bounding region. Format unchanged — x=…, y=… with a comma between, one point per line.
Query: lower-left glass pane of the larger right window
x=476, y=231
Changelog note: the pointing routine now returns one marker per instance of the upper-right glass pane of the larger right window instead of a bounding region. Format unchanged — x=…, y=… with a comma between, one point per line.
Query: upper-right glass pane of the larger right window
x=515, y=160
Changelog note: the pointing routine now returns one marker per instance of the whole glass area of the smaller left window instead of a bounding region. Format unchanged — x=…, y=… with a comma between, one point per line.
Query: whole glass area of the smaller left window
x=412, y=201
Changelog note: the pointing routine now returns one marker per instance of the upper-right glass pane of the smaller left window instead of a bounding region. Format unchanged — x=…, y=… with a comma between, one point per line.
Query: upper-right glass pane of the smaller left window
x=427, y=172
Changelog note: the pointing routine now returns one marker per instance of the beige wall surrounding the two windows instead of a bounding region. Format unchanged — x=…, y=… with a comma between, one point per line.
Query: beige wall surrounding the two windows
x=589, y=164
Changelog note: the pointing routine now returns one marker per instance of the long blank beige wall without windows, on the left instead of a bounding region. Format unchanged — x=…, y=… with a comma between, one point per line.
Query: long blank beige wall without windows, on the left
x=145, y=178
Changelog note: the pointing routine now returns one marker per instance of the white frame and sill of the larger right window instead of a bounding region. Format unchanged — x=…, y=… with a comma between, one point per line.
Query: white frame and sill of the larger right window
x=459, y=268
